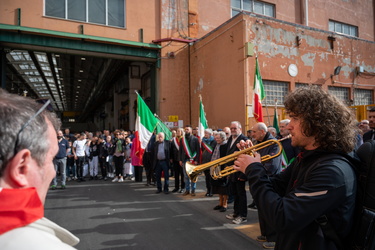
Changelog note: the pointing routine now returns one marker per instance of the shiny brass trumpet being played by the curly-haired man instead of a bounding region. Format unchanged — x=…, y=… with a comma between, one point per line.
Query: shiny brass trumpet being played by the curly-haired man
x=194, y=170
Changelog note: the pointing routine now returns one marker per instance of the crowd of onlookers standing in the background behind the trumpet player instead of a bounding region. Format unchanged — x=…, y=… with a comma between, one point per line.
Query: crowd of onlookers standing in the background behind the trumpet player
x=111, y=153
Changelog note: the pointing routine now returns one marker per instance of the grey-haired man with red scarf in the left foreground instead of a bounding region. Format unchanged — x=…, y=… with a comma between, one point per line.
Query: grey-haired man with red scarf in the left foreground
x=28, y=147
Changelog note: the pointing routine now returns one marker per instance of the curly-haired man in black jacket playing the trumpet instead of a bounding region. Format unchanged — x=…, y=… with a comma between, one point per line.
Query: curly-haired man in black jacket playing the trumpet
x=310, y=188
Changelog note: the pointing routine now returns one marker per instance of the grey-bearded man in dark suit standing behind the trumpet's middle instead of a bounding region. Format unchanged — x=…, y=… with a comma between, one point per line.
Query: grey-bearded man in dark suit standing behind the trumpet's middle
x=238, y=179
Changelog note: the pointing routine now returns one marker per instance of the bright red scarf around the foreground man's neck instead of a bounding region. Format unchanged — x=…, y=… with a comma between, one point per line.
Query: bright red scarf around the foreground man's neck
x=18, y=208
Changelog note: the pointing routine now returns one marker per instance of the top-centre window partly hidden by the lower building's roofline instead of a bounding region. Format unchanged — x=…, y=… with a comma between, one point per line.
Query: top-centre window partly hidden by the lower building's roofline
x=258, y=7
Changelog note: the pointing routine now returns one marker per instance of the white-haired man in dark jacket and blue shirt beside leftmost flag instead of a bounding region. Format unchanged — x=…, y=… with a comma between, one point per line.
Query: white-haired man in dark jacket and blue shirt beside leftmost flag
x=161, y=162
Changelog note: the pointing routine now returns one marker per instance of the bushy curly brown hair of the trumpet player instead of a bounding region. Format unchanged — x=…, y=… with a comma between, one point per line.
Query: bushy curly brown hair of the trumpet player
x=323, y=116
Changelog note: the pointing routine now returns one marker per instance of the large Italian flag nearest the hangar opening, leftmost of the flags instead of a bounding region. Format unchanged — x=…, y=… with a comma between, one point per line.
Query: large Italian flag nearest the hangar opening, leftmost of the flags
x=144, y=127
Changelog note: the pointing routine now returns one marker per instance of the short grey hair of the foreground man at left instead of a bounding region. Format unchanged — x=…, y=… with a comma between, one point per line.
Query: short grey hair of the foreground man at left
x=15, y=112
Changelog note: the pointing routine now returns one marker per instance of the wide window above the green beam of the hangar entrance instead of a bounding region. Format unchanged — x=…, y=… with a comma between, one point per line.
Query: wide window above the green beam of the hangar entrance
x=105, y=12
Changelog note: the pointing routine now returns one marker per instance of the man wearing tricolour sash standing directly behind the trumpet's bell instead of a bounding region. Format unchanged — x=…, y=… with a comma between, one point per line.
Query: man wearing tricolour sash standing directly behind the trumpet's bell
x=189, y=151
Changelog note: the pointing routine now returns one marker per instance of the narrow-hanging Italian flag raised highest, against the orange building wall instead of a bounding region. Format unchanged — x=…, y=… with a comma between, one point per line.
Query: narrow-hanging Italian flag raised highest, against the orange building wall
x=259, y=94
